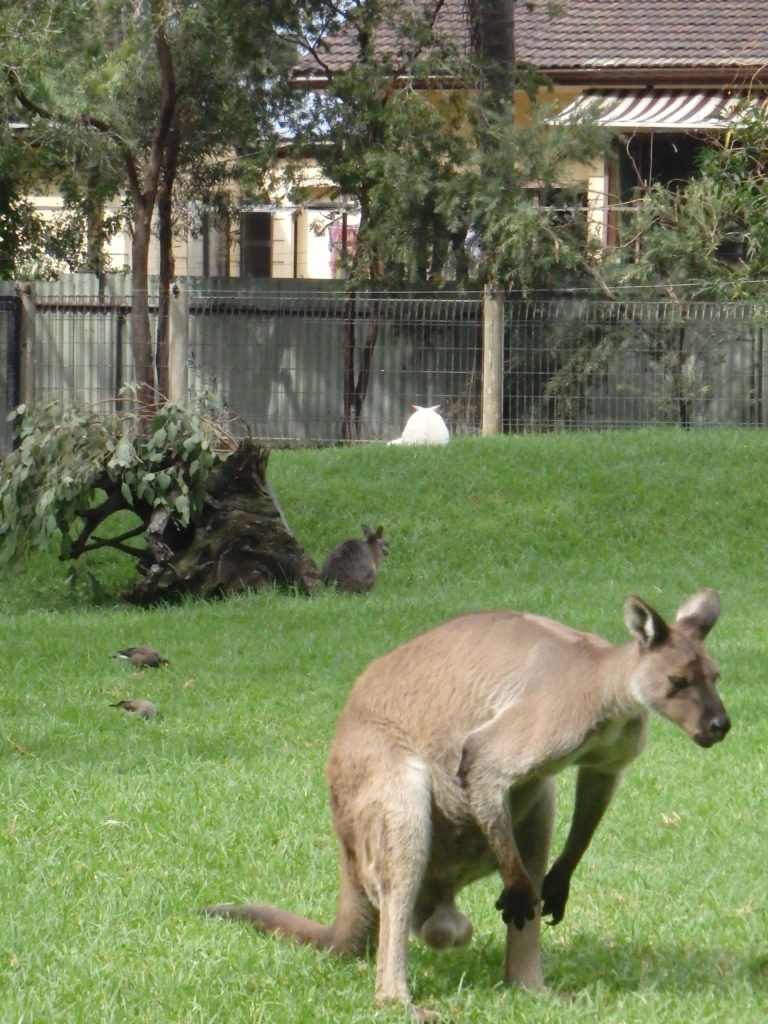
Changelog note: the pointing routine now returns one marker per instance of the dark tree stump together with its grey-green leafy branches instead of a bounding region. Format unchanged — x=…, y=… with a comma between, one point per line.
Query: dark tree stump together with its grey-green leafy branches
x=176, y=491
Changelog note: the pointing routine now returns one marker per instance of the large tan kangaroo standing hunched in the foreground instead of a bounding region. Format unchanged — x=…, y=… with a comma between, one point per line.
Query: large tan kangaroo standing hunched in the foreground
x=442, y=772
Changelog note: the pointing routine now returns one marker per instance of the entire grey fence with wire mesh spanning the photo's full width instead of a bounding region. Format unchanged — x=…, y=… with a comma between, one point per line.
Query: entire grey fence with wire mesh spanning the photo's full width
x=317, y=365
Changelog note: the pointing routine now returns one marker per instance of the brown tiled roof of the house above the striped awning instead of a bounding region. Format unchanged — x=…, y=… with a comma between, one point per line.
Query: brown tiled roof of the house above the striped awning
x=592, y=38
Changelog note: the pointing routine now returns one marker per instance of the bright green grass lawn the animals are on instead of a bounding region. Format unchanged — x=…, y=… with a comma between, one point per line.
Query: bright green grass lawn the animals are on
x=114, y=832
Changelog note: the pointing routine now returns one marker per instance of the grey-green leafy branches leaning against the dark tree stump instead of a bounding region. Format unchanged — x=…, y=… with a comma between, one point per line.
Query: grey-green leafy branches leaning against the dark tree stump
x=73, y=470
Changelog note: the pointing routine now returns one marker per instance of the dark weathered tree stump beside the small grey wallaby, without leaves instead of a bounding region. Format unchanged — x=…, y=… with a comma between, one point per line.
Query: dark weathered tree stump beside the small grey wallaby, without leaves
x=239, y=541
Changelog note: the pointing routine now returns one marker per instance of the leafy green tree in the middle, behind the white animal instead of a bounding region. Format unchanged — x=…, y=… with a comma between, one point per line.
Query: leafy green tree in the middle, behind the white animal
x=416, y=130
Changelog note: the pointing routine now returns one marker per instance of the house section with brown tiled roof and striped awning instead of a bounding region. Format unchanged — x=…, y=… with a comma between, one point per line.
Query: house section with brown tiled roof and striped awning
x=664, y=75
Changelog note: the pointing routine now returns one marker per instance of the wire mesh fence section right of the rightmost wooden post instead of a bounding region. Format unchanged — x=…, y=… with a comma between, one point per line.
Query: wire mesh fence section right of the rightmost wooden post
x=598, y=365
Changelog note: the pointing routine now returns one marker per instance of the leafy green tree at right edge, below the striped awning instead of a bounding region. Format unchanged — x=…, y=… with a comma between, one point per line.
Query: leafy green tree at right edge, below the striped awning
x=704, y=239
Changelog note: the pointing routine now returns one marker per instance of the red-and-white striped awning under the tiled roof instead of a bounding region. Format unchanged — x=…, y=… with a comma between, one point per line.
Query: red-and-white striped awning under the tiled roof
x=652, y=110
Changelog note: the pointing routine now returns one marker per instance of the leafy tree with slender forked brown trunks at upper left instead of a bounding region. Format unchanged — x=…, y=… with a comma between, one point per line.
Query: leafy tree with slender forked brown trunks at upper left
x=126, y=97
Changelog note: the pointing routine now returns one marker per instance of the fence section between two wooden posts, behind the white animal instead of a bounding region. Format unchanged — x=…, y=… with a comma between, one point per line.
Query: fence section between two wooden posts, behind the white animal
x=319, y=367
